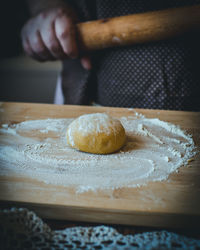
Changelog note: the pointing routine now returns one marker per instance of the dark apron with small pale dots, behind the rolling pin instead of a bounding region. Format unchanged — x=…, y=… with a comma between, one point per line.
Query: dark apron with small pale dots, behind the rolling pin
x=162, y=75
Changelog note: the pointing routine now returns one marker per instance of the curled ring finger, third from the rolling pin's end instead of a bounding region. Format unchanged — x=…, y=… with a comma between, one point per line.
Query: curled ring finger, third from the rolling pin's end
x=39, y=48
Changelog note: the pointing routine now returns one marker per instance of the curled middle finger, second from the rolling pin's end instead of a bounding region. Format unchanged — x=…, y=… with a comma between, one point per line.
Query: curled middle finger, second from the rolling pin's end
x=51, y=42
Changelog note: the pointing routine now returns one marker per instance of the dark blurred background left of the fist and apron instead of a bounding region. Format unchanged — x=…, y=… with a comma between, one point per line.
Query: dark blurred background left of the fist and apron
x=22, y=79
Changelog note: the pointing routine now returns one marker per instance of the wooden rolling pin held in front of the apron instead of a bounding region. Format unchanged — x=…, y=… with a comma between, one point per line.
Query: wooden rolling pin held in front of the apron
x=138, y=28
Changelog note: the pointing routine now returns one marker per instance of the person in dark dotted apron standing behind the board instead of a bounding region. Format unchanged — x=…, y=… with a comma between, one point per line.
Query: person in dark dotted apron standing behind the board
x=157, y=75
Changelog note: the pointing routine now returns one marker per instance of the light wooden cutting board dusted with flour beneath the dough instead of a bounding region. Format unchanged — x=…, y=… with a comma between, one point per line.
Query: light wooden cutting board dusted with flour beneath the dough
x=172, y=203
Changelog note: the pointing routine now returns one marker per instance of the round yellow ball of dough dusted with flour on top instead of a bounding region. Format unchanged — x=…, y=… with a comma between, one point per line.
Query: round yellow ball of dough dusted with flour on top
x=96, y=133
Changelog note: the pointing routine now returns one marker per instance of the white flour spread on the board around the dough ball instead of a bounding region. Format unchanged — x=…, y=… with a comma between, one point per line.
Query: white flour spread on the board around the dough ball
x=38, y=149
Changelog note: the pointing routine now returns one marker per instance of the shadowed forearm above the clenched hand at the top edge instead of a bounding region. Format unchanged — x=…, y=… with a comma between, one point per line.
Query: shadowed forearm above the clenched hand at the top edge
x=37, y=6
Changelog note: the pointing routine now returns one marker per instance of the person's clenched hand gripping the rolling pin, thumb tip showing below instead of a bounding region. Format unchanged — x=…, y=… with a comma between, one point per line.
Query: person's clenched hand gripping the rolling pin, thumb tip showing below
x=51, y=35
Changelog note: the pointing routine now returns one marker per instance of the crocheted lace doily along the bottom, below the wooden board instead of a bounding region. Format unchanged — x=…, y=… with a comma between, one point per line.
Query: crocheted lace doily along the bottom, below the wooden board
x=22, y=229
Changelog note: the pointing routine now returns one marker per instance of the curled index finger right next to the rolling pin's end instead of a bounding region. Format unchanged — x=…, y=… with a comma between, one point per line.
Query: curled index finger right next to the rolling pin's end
x=65, y=33
